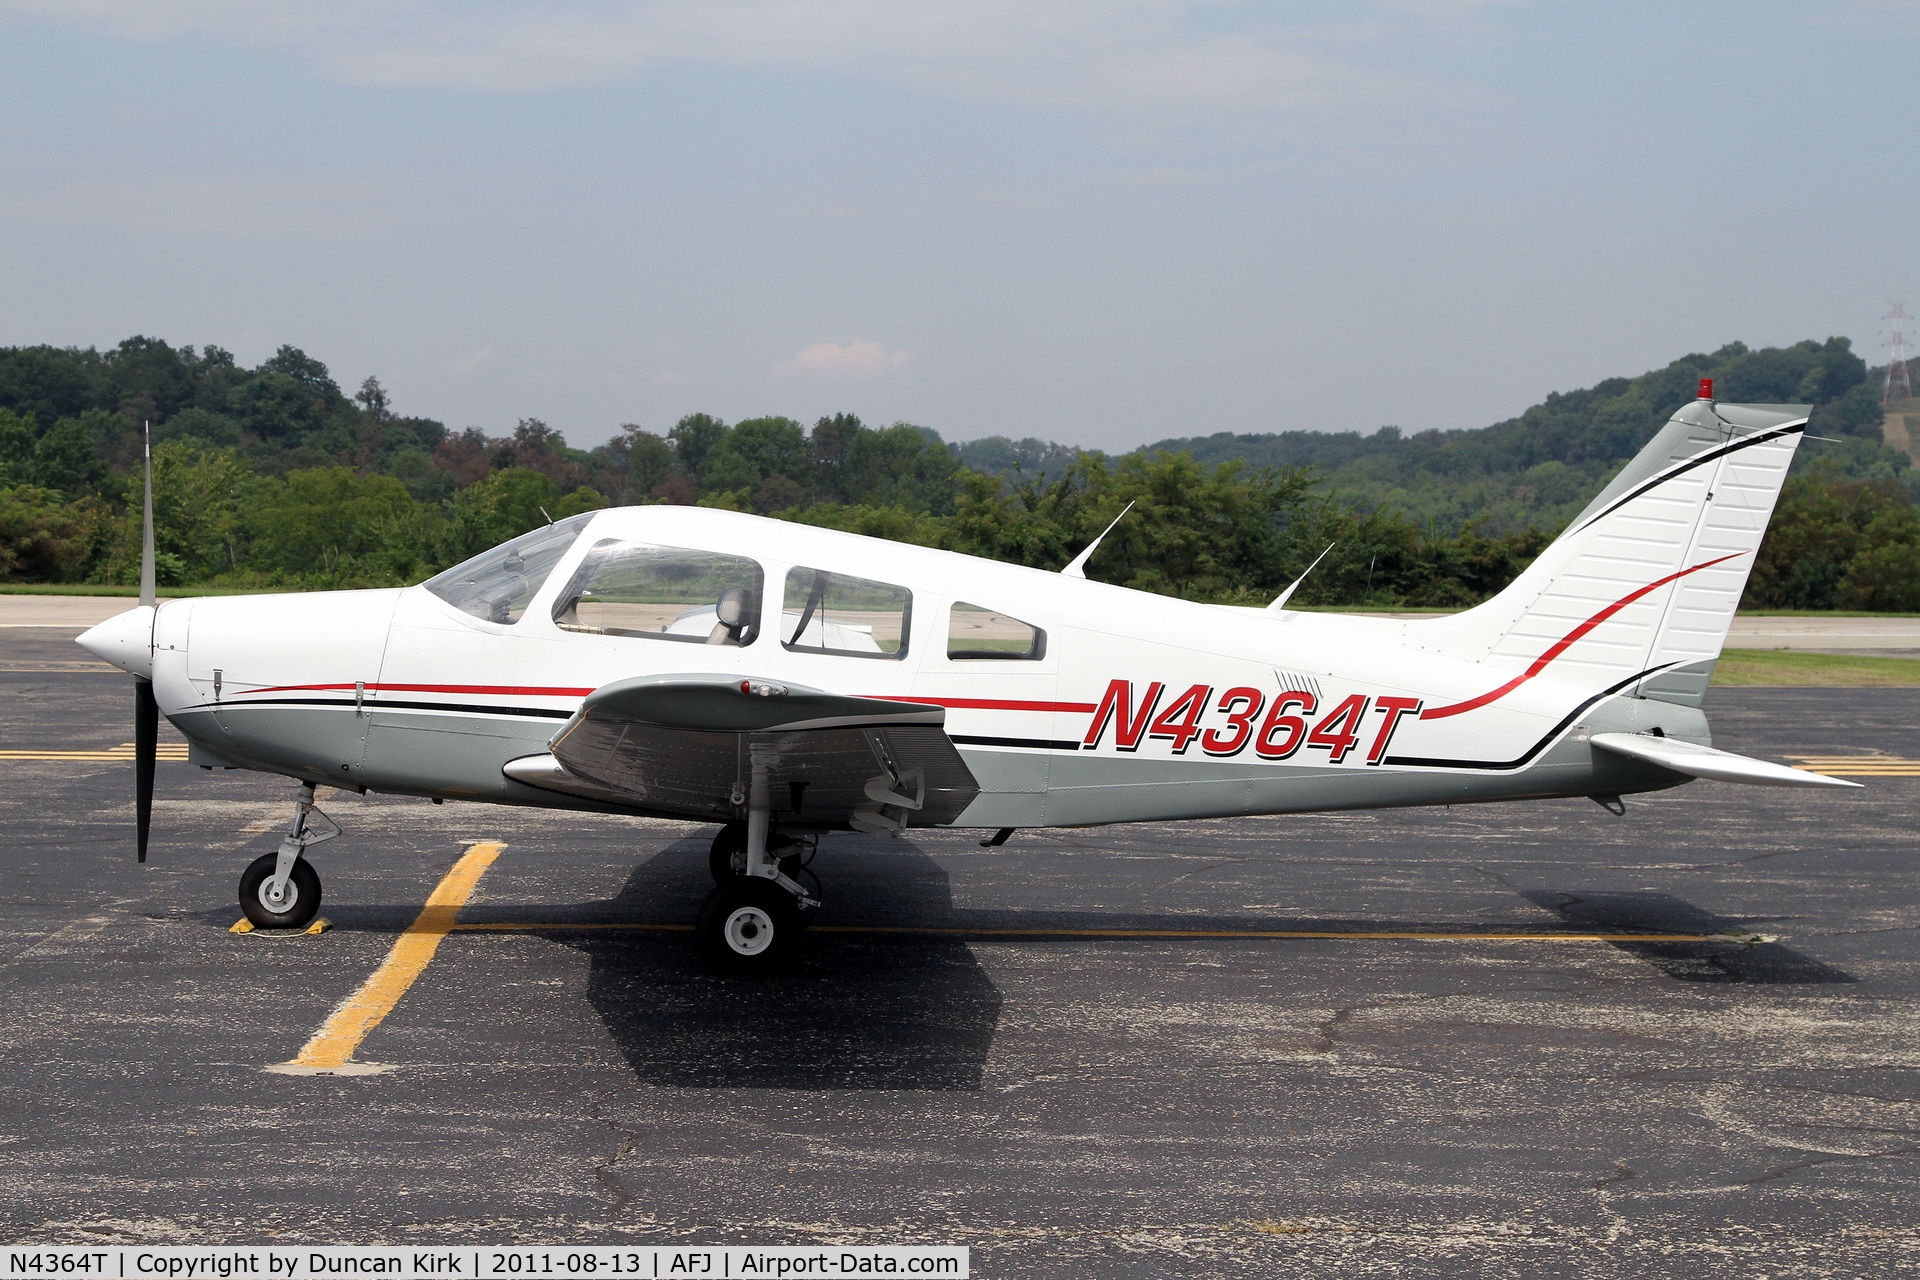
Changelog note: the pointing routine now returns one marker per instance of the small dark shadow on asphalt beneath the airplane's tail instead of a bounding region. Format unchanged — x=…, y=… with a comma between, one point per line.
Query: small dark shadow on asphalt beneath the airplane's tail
x=1689, y=962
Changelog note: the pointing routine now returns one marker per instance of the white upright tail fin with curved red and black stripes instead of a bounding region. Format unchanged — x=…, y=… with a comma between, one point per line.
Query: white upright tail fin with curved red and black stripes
x=1646, y=581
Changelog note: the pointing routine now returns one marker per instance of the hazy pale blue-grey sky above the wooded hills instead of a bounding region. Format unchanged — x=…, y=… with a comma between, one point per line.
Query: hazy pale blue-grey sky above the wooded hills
x=1093, y=222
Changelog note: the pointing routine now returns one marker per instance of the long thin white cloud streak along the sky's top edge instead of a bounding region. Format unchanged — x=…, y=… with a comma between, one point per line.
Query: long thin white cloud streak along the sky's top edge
x=1138, y=57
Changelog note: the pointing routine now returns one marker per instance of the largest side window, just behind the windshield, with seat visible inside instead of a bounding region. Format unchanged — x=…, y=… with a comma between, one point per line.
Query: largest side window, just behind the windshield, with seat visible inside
x=698, y=598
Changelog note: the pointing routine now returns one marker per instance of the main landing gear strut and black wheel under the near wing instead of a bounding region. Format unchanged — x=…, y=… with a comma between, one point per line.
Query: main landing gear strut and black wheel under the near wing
x=754, y=918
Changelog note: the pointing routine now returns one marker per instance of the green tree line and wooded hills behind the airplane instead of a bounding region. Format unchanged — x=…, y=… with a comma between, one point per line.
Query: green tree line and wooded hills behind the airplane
x=274, y=479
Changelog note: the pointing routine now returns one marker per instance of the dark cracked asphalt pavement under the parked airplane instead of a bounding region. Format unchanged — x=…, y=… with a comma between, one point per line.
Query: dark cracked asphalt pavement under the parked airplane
x=1067, y=1106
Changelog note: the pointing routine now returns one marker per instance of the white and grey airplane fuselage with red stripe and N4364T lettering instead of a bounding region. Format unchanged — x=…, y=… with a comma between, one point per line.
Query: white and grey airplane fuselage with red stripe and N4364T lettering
x=1084, y=703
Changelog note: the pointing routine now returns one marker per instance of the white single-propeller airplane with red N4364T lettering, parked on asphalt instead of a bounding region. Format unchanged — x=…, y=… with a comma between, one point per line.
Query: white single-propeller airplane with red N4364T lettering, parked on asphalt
x=788, y=682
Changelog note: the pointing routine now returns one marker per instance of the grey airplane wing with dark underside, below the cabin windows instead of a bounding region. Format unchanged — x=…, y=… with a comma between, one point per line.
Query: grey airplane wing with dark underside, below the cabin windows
x=681, y=746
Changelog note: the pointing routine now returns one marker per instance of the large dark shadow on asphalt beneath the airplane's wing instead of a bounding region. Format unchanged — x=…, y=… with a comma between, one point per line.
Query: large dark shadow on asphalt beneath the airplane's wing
x=857, y=1012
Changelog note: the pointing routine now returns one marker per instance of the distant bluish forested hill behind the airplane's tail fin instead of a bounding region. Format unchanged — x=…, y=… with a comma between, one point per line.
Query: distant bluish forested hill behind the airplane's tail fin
x=1541, y=469
